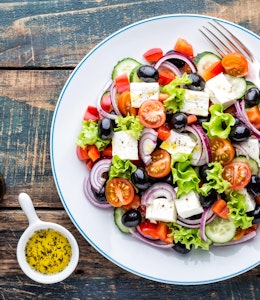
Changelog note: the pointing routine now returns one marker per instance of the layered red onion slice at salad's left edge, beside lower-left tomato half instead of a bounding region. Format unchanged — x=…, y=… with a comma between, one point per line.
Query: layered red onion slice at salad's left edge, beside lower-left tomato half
x=96, y=175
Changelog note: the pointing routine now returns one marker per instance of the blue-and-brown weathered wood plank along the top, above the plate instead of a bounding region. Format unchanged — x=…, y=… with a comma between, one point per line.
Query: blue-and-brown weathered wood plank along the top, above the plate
x=60, y=33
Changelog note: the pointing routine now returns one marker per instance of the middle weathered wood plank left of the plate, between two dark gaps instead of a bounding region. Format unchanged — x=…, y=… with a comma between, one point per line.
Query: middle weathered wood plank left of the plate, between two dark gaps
x=28, y=99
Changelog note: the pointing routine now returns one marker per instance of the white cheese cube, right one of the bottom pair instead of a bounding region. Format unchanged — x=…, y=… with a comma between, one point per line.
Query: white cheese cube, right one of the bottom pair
x=188, y=205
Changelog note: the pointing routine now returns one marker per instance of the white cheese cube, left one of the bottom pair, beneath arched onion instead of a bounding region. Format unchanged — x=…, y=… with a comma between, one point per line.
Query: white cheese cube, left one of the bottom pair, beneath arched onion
x=161, y=209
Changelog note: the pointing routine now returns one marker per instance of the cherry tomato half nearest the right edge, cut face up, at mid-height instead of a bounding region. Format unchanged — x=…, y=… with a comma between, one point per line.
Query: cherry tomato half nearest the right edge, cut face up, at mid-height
x=238, y=174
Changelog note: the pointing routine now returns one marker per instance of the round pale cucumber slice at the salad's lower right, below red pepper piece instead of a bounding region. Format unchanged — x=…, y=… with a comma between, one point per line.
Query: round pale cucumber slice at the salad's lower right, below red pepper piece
x=220, y=231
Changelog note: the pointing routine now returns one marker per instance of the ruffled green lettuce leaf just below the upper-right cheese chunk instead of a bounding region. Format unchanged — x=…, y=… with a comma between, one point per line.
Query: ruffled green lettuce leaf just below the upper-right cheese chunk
x=220, y=123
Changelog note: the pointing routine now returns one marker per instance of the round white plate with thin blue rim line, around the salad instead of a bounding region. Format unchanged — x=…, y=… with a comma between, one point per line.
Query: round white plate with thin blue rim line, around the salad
x=96, y=225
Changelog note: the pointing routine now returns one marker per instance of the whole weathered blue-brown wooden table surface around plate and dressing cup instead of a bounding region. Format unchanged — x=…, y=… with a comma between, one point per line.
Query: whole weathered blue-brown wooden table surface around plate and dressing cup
x=40, y=44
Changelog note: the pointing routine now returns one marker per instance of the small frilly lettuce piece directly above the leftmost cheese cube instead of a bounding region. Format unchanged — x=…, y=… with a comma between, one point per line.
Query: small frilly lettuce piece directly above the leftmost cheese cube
x=130, y=124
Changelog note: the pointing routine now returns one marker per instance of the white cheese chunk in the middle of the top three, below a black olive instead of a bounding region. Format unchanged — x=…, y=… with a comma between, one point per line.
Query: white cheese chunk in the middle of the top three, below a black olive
x=196, y=102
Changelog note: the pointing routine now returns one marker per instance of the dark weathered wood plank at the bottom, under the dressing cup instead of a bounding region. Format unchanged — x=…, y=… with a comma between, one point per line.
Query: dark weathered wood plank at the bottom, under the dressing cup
x=97, y=278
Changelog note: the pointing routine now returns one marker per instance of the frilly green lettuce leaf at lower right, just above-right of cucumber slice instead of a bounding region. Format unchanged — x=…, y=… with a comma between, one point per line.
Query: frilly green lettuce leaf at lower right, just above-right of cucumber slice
x=237, y=210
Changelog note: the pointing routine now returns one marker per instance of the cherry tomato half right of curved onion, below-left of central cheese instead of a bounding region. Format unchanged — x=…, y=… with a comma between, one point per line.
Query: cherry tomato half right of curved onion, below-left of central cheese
x=160, y=165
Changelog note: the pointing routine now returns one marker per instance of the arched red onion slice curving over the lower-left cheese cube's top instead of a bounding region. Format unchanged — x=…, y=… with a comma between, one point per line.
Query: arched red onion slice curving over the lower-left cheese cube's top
x=158, y=190
